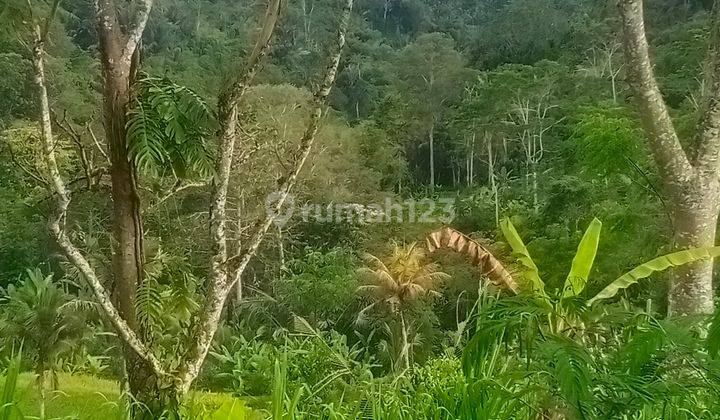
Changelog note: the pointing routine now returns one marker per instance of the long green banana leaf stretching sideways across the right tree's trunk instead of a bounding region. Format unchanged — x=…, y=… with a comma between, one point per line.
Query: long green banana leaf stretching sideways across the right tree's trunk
x=658, y=264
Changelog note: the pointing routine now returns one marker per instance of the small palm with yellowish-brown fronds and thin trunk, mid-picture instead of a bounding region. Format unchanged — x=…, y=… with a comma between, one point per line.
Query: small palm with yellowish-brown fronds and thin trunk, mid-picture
x=402, y=279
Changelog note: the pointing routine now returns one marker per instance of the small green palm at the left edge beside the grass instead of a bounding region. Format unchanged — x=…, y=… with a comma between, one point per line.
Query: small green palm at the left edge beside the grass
x=44, y=320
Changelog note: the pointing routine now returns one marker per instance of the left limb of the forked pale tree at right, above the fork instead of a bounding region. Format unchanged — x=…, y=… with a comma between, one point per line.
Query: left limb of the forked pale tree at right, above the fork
x=667, y=150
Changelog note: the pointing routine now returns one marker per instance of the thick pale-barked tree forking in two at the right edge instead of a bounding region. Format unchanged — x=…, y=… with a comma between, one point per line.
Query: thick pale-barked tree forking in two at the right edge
x=690, y=173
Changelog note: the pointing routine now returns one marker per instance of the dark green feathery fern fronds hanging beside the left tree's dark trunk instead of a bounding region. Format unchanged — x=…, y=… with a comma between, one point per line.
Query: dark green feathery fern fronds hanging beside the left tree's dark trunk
x=167, y=127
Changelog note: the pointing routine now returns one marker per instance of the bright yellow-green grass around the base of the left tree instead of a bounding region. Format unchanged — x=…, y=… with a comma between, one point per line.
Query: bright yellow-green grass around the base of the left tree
x=87, y=397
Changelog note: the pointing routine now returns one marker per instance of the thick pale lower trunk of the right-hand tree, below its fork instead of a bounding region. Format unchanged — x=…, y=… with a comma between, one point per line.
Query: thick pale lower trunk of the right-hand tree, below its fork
x=695, y=218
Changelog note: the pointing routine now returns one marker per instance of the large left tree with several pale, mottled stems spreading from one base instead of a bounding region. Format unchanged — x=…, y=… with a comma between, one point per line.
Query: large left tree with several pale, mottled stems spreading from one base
x=153, y=382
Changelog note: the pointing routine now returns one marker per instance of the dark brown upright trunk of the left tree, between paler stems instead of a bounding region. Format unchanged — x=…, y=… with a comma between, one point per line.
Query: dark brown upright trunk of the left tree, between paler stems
x=118, y=53
